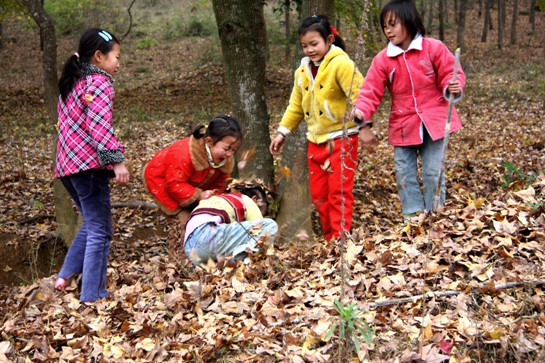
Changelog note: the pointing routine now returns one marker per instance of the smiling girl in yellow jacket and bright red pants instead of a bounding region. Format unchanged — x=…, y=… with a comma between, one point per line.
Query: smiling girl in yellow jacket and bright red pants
x=321, y=87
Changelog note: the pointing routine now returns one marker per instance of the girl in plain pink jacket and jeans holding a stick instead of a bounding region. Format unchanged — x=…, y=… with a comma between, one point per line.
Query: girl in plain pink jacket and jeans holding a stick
x=418, y=74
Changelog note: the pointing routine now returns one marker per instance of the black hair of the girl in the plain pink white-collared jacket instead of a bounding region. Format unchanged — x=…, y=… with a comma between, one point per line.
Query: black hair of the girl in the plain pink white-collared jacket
x=405, y=11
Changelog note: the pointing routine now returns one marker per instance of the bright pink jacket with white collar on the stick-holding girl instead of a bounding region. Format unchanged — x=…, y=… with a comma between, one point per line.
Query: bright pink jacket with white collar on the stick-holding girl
x=417, y=80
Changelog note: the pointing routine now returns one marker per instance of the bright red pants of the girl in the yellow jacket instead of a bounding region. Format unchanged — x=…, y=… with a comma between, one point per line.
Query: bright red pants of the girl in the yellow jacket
x=325, y=185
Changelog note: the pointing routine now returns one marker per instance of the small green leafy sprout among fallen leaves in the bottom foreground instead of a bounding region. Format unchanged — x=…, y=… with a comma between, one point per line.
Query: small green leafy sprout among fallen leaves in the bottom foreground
x=350, y=322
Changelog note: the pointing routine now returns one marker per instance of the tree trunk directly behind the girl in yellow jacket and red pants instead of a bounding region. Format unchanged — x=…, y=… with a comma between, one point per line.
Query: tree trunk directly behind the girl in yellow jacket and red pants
x=296, y=205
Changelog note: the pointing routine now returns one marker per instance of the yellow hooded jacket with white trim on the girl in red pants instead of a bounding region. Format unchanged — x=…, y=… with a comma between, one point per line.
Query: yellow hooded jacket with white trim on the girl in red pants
x=321, y=102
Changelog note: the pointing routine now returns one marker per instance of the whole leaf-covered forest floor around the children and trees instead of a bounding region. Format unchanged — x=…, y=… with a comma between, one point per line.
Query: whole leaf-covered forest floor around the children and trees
x=480, y=262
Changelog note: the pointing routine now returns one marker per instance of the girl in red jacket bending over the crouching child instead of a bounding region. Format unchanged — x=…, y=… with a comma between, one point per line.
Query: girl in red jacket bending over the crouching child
x=190, y=170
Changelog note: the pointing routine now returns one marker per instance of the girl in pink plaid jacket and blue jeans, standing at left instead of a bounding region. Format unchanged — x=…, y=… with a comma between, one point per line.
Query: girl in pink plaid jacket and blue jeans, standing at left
x=88, y=155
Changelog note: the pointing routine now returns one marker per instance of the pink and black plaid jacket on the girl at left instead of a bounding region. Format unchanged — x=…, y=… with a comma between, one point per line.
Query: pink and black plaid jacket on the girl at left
x=86, y=135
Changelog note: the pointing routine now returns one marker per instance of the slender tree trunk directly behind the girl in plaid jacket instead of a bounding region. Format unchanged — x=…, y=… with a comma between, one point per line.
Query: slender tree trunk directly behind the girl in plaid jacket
x=67, y=219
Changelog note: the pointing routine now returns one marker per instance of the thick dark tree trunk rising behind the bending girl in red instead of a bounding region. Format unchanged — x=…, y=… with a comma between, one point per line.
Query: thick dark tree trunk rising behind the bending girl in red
x=240, y=25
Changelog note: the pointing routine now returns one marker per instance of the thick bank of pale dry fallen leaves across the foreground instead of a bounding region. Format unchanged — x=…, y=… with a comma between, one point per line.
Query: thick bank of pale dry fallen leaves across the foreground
x=431, y=294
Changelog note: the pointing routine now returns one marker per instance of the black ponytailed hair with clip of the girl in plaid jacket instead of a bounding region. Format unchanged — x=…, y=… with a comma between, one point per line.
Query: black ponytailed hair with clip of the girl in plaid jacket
x=91, y=40
